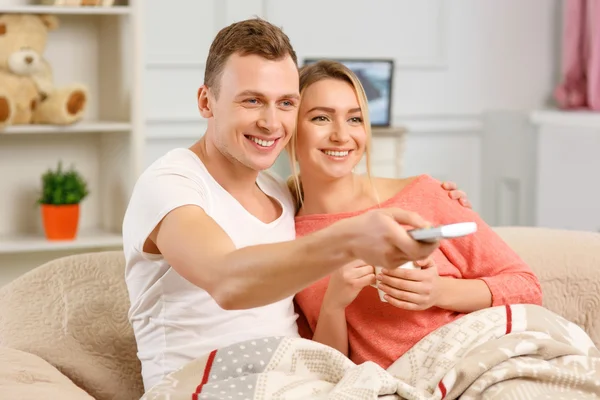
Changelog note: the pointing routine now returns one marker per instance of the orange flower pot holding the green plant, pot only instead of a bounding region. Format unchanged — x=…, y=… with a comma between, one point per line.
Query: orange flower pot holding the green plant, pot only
x=60, y=221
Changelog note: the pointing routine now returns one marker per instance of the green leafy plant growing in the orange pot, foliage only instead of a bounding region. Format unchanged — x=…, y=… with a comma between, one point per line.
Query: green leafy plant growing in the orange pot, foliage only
x=63, y=187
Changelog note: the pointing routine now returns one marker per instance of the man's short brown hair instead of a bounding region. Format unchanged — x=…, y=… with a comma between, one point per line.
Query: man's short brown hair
x=249, y=37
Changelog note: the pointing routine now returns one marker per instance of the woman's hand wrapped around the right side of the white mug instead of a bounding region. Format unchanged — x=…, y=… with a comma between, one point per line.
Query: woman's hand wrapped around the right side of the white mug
x=411, y=289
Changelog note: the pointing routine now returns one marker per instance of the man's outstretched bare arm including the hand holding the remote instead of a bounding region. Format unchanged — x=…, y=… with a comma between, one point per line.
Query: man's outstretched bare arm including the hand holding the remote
x=200, y=251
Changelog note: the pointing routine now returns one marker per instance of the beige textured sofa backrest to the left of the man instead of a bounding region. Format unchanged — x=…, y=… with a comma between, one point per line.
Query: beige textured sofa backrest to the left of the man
x=72, y=312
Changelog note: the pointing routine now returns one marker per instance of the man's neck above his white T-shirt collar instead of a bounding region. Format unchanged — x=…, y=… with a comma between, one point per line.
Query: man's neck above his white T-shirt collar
x=233, y=176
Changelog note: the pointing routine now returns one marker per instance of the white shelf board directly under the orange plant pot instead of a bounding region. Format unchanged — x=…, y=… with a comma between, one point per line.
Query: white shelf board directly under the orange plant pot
x=36, y=243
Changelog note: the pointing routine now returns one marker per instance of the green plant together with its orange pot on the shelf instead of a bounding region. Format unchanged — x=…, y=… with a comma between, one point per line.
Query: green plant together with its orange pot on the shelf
x=62, y=192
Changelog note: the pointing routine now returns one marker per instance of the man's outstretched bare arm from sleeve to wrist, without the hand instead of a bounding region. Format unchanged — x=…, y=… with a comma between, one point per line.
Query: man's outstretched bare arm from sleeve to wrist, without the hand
x=200, y=251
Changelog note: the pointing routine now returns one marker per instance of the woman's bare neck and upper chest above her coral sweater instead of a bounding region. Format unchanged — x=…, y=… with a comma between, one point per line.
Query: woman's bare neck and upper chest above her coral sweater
x=332, y=196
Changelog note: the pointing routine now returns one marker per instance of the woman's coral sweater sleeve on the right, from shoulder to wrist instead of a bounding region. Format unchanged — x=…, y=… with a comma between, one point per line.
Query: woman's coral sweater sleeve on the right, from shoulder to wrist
x=483, y=255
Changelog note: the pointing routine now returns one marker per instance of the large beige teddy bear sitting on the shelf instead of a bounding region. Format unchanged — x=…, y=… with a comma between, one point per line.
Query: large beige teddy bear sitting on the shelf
x=27, y=91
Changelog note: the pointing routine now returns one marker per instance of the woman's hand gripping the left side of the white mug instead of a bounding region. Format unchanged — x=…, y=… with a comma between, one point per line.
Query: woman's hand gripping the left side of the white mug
x=346, y=283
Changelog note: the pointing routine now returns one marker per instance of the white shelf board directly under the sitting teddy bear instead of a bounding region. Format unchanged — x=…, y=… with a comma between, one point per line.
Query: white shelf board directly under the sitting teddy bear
x=80, y=127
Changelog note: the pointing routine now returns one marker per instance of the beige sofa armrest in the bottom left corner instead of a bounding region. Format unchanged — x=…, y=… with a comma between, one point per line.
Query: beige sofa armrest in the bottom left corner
x=25, y=376
